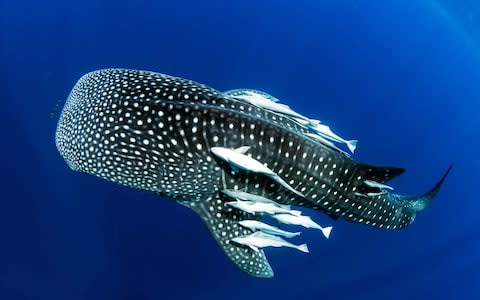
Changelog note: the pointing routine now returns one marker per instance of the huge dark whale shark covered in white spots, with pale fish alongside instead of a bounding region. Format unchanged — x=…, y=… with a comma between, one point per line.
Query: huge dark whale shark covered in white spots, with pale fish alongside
x=187, y=142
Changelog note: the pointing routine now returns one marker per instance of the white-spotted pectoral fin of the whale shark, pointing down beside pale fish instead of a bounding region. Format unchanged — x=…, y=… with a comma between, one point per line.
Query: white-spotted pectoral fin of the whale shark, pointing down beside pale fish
x=222, y=221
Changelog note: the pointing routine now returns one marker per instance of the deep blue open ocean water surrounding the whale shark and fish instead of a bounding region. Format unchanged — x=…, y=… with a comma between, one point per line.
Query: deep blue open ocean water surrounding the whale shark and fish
x=402, y=76
